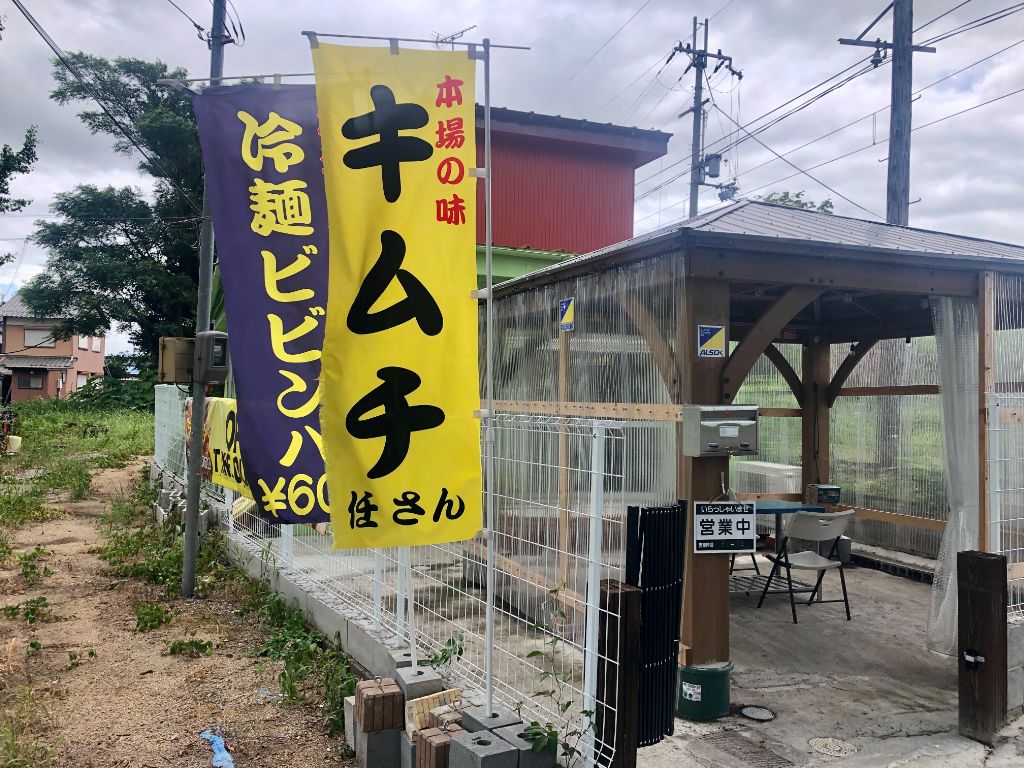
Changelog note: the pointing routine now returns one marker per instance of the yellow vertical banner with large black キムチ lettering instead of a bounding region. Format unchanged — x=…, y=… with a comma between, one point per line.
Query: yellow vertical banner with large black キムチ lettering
x=400, y=367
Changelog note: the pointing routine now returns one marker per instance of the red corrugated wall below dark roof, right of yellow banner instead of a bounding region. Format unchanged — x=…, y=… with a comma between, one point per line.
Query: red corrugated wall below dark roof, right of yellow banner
x=558, y=196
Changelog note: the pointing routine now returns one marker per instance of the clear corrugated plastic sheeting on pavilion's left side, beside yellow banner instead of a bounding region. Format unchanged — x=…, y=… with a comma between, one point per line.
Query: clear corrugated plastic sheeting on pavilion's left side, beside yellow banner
x=605, y=359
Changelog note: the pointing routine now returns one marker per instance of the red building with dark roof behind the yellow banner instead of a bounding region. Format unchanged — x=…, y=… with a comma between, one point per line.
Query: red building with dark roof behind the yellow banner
x=563, y=185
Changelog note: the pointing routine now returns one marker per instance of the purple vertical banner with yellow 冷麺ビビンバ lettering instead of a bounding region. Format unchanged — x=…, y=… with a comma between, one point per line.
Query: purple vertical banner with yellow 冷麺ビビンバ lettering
x=265, y=179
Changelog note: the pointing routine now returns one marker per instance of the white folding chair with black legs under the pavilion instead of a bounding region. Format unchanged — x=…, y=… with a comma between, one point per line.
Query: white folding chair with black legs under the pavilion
x=810, y=527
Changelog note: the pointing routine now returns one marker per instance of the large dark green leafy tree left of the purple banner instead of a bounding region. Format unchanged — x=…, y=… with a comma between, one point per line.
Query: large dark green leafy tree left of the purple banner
x=116, y=259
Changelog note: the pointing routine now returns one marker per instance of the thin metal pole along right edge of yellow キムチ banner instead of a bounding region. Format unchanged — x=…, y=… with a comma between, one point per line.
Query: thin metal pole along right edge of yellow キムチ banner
x=490, y=443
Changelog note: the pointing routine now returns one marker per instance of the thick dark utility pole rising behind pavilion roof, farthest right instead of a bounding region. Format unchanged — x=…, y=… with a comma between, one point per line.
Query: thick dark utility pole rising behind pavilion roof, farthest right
x=899, y=183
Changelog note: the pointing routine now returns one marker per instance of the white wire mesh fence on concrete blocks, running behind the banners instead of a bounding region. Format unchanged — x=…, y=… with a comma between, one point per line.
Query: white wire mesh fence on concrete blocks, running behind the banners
x=562, y=491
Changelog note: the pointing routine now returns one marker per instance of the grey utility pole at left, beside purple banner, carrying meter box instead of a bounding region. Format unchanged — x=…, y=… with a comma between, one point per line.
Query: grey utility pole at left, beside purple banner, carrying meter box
x=219, y=39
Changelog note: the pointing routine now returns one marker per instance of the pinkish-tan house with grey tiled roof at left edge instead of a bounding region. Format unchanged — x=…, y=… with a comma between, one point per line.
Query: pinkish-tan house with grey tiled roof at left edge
x=33, y=364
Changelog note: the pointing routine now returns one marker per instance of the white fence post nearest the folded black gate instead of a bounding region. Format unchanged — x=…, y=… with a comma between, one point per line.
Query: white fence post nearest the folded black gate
x=593, y=592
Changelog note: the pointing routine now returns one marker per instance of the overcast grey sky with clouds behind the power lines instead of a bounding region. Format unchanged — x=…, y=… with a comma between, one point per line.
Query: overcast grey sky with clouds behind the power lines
x=968, y=172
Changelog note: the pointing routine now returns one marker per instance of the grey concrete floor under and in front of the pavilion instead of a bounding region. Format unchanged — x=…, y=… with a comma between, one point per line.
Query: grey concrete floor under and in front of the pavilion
x=870, y=684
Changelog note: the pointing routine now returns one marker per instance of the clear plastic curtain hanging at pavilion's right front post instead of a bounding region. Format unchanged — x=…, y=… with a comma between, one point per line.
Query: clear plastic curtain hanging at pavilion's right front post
x=956, y=324
